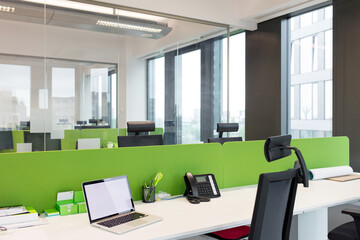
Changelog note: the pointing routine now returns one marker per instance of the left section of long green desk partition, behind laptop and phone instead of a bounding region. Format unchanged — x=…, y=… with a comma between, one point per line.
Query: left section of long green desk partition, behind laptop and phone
x=36, y=177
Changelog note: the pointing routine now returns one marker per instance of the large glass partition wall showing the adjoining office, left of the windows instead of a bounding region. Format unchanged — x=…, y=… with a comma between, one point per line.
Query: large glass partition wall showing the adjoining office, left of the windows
x=71, y=70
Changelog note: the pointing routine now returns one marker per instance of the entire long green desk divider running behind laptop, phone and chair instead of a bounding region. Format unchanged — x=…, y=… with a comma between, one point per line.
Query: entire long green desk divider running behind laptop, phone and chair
x=33, y=179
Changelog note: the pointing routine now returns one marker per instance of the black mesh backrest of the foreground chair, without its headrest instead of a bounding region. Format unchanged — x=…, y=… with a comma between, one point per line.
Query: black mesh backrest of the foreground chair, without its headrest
x=274, y=205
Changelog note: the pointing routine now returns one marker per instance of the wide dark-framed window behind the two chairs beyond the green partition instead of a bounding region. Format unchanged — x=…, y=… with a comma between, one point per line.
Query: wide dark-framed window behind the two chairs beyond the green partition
x=188, y=89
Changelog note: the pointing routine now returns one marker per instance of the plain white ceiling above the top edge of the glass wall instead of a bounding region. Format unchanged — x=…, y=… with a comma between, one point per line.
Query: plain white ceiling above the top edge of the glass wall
x=243, y=14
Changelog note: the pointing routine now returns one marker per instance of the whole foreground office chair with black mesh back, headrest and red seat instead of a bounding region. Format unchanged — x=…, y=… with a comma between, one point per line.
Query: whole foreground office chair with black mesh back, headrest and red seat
x=275, y=196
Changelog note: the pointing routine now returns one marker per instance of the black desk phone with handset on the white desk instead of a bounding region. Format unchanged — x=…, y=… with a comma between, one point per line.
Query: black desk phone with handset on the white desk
x=200, y=188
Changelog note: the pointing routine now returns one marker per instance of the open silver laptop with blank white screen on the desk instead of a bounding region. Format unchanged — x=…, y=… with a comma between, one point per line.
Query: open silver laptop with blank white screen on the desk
x=110, y=206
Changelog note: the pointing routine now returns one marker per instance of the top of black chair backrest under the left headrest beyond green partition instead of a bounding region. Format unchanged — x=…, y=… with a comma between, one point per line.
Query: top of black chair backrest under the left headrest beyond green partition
x=139, y=140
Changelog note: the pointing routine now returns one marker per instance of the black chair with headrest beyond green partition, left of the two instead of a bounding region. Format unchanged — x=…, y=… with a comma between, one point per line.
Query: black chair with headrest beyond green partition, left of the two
x=138, y=139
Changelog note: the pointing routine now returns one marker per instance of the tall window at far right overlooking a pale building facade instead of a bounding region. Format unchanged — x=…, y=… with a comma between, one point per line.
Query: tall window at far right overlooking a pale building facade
x=310, y=91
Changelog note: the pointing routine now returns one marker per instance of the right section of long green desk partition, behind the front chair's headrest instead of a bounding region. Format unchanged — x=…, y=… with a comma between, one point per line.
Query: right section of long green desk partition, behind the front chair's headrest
x=245, y=161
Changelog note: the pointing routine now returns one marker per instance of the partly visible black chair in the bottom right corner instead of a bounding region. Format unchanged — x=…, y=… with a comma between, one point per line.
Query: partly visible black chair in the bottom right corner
x=347, y=231
